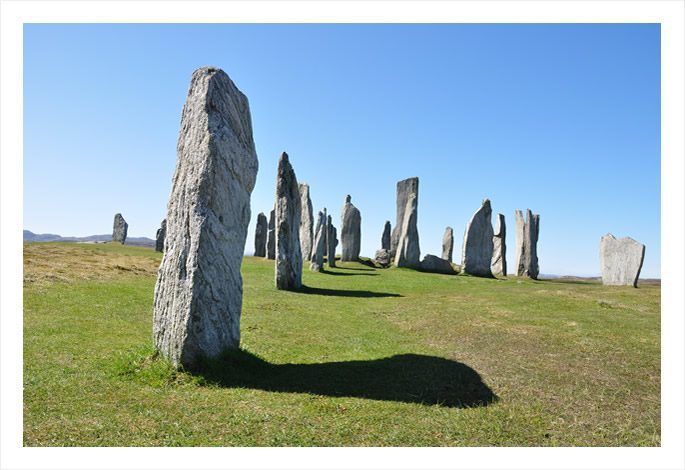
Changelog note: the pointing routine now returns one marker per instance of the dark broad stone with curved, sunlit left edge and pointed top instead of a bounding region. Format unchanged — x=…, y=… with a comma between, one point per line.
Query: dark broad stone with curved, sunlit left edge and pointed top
x=477, y=248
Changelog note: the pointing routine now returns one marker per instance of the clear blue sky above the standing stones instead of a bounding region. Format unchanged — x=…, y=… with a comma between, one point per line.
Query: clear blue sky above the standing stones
x=562, y=119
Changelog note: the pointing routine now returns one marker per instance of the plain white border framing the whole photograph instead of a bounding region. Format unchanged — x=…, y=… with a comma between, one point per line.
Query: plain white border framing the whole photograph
x=669, y=13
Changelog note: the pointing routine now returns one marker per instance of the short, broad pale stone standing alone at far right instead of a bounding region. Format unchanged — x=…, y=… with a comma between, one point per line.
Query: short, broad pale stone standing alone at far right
x=620, y=260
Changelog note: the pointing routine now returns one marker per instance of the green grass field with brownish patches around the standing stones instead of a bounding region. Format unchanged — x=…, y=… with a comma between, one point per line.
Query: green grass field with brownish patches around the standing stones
x=362, y=357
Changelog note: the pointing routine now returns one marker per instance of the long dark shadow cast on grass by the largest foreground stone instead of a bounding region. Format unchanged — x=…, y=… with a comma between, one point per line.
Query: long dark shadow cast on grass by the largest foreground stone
x=408, y=378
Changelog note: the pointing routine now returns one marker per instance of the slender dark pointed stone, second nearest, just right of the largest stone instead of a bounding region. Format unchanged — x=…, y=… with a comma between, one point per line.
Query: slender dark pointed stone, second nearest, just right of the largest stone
x=288, y=213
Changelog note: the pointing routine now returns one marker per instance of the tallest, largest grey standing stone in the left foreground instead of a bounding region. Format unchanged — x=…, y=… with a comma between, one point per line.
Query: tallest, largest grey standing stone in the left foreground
x=199, y=291
